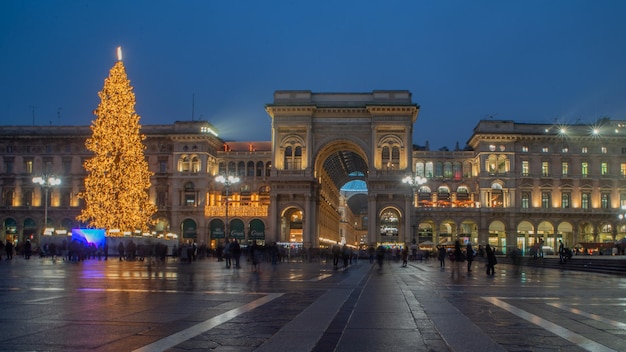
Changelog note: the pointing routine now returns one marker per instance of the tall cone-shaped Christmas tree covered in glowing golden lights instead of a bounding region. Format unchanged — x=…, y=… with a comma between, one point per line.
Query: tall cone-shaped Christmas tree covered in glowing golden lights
x=118, y=175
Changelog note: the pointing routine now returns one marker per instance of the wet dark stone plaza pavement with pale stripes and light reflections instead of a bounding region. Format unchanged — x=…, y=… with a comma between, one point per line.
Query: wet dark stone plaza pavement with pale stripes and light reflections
x=137, y=306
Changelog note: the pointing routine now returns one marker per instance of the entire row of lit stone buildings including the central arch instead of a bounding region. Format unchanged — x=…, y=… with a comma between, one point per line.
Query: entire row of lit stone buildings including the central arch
x=515, y=184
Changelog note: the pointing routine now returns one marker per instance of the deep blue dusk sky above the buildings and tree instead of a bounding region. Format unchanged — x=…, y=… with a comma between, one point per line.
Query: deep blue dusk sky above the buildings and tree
x=529, y=61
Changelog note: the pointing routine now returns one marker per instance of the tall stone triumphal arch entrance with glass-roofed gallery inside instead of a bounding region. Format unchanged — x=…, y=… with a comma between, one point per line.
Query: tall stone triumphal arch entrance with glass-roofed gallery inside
x=323, y=143
